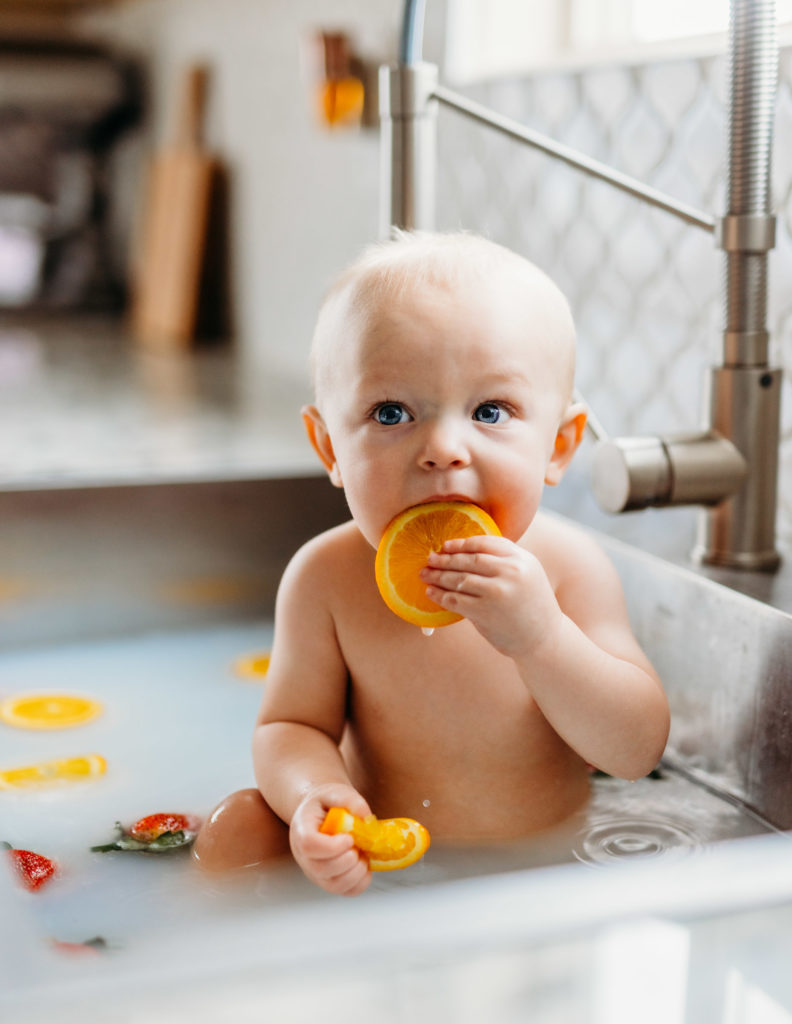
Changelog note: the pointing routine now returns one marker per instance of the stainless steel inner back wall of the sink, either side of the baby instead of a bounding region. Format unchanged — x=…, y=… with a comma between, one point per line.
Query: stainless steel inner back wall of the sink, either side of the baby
x=86, y=564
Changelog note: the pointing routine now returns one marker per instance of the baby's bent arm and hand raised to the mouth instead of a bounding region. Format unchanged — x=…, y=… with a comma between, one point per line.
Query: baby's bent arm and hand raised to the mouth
x=572, y=645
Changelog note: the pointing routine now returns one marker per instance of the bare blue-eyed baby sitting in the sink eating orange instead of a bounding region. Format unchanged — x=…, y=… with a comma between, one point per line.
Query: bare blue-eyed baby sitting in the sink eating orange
x=443, y=368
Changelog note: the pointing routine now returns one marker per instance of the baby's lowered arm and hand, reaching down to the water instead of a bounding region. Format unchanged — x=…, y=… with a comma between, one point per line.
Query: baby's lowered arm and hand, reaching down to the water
x=298, y=763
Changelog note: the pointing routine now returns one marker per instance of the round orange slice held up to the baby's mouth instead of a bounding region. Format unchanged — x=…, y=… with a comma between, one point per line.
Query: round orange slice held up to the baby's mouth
x=405, y=548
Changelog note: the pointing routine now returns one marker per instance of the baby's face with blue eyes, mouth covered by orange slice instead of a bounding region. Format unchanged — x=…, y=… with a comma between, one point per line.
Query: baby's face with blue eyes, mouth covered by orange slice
x=446, y=397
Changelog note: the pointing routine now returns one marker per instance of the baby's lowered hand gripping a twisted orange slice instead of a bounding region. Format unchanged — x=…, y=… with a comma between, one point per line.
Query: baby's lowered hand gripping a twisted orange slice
x=332, y=863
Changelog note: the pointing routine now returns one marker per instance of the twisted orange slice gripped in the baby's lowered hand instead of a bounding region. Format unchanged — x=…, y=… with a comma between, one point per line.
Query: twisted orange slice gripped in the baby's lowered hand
x=389, y=844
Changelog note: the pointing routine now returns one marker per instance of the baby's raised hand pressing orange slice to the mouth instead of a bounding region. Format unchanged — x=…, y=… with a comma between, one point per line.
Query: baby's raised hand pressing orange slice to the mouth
x=501, y=587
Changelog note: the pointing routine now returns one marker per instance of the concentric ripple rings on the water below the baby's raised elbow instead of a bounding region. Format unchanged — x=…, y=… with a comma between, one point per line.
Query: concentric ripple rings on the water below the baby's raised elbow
x=619, y=837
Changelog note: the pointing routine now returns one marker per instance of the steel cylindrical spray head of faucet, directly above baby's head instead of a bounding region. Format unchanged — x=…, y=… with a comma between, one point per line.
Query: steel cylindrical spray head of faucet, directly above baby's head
x=408, y=147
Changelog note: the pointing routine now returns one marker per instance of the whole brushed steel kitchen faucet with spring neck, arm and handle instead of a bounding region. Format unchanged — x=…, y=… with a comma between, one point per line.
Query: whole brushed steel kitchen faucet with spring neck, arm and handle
x=731, y=465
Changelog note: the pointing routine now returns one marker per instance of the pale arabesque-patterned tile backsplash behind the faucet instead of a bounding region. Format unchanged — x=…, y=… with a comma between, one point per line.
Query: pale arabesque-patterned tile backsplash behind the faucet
x=646, y=289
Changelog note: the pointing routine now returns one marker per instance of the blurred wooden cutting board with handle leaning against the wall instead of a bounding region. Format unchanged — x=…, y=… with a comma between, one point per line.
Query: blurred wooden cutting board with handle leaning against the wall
x=168, y=275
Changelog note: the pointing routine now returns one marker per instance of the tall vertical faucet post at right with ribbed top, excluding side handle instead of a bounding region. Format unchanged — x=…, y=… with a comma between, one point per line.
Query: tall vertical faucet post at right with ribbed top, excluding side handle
x=746, y=393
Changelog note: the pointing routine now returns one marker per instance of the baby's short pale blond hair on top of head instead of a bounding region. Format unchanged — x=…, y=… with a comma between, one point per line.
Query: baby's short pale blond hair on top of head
x=386, y=272
